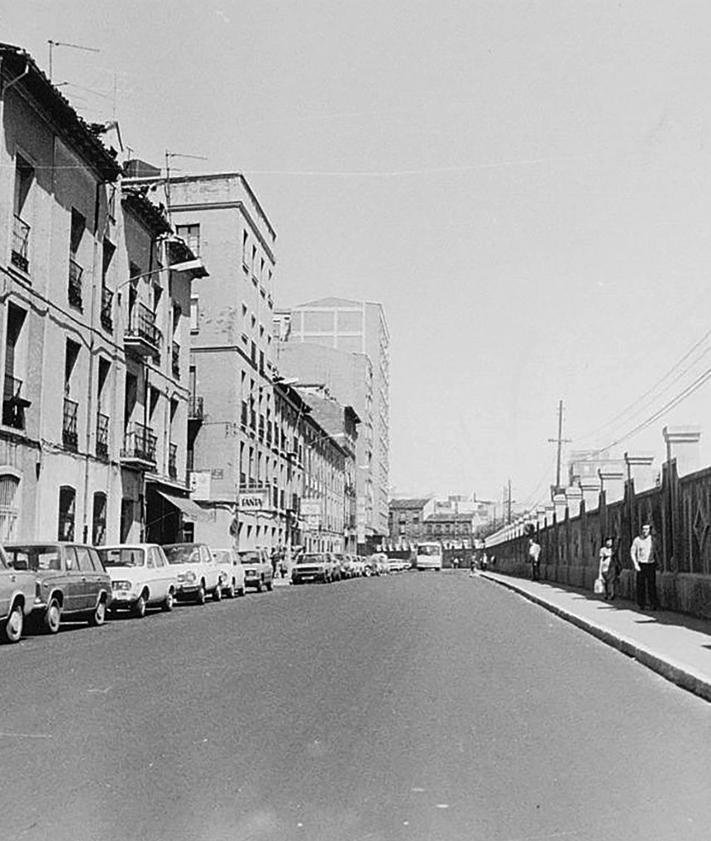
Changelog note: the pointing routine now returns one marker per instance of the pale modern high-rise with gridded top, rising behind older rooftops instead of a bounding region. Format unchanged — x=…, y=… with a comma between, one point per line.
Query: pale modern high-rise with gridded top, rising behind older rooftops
x=345, y=344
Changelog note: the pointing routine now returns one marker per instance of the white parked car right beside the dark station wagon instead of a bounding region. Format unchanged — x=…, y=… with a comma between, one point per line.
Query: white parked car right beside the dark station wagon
x=140, y=577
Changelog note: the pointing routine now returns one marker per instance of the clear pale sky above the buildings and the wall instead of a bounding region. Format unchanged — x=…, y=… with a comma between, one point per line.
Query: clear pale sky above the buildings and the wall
x=525, y=186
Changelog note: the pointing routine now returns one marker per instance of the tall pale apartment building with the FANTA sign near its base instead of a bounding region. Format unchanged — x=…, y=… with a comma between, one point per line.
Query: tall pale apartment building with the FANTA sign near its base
x=235, y=466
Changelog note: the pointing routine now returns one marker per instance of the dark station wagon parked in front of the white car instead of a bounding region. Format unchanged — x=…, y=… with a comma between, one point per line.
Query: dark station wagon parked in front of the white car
x=71, y=582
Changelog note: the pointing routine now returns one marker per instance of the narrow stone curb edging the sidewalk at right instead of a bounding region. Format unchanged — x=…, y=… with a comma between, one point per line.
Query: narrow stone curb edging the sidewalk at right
x=682, y=676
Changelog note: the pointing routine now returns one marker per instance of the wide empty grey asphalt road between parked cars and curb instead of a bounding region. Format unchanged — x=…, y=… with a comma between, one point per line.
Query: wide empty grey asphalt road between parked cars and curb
x=418, y=706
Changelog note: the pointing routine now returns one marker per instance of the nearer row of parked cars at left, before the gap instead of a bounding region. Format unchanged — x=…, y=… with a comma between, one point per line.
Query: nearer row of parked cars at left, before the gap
x=42, y=583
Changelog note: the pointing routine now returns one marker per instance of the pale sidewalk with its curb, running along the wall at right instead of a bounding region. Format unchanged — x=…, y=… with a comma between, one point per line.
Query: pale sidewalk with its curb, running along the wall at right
x=676, y=646
